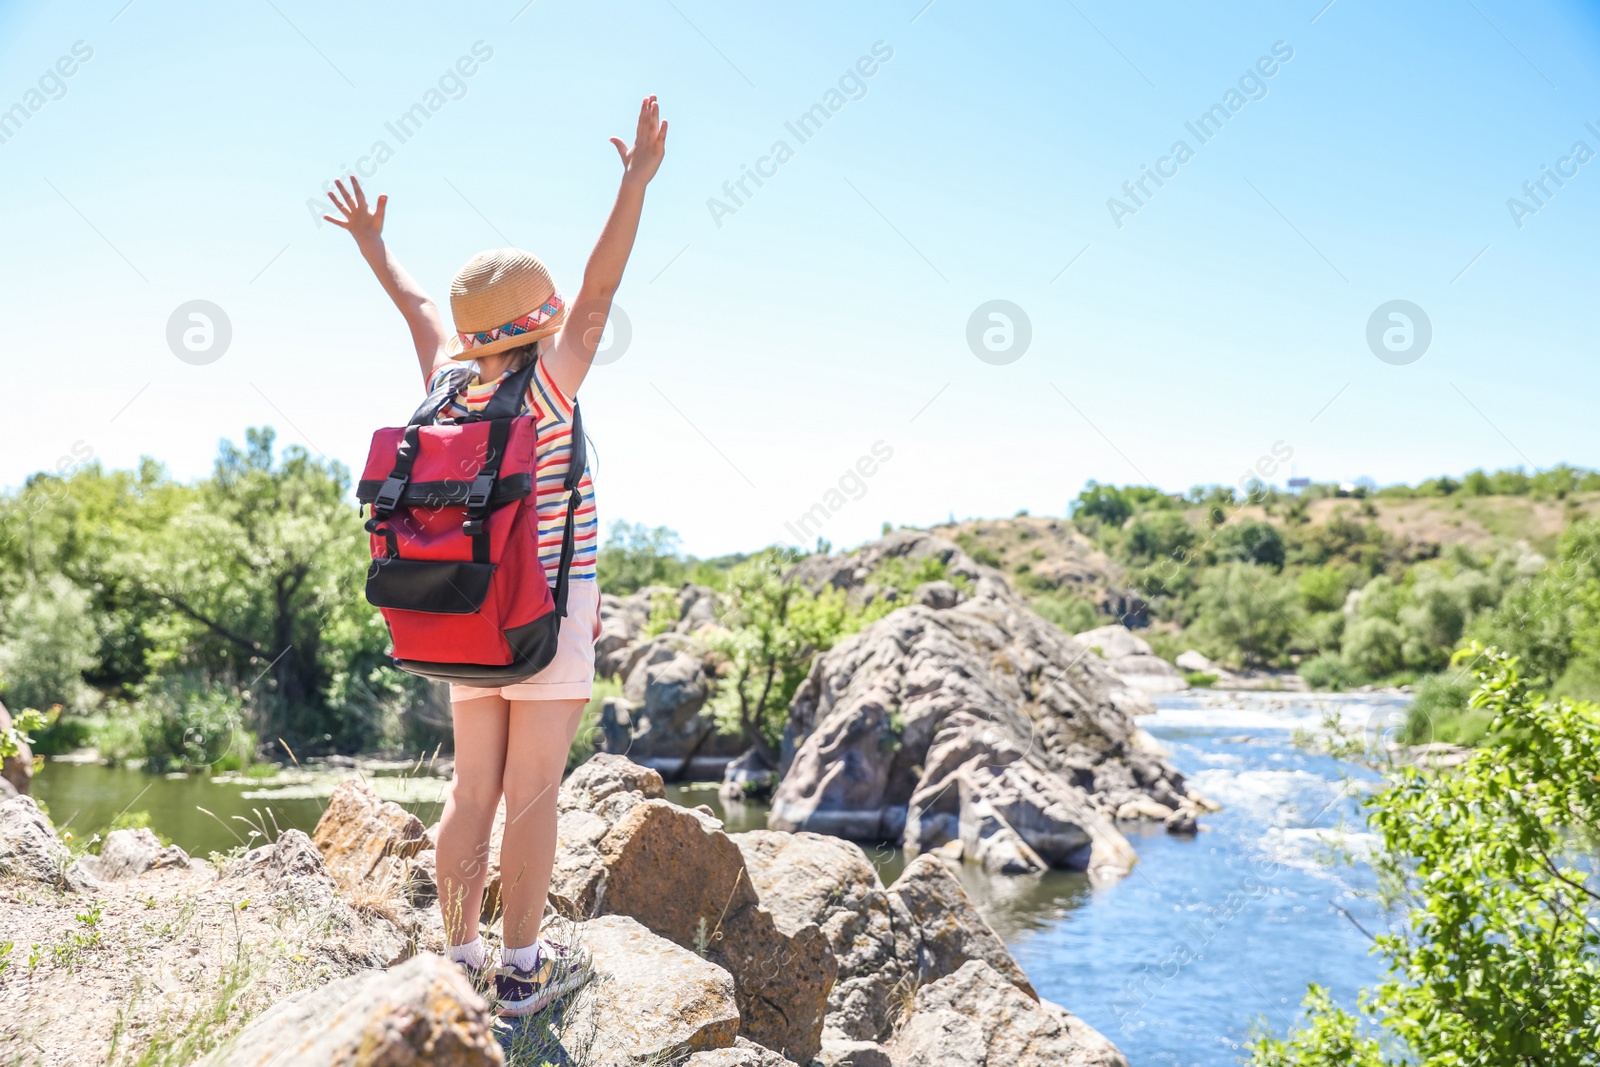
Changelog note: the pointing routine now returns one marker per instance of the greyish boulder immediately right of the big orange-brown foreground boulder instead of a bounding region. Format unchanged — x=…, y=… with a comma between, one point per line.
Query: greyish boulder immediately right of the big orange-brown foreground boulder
x=807, y=879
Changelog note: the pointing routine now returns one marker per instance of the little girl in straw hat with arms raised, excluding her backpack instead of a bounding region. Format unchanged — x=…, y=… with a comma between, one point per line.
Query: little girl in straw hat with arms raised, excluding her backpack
x=513, y=741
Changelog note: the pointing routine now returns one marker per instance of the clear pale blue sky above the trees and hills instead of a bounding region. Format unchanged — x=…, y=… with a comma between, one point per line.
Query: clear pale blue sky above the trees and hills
x=842, y=314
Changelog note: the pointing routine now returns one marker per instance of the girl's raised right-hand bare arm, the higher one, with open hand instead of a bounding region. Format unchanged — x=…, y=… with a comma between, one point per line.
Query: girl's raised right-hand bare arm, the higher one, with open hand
x=575, y=346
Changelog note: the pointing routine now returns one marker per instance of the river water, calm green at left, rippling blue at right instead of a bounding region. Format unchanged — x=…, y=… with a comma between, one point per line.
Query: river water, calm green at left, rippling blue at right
x=1175, y=964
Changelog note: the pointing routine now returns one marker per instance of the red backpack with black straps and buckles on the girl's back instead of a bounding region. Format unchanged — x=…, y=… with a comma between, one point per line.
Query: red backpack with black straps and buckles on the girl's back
x=455, y=538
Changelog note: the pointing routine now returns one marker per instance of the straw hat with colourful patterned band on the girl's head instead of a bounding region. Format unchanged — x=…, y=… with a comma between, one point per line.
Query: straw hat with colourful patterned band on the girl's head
x=503, y=300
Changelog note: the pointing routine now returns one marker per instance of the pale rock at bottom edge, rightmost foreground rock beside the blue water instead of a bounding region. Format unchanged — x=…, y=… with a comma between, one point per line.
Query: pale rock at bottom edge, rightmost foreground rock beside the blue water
x=975, y=1018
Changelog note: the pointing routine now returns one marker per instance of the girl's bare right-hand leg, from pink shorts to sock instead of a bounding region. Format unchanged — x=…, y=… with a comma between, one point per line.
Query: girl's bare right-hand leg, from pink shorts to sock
x=540, y=735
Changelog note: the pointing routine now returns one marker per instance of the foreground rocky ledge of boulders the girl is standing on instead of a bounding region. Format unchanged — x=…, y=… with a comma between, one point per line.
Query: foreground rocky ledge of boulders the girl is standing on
x=711, y=949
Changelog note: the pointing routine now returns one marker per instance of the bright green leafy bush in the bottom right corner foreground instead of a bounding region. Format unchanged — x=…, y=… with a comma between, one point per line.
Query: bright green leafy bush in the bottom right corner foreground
x=1494, y=956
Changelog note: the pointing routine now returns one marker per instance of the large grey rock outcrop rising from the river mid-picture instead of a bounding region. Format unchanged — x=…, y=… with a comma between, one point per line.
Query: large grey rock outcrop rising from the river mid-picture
x=967, y=724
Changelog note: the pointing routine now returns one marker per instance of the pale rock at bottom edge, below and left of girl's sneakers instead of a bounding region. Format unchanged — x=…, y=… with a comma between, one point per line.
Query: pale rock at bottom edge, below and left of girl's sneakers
x=418, y=1013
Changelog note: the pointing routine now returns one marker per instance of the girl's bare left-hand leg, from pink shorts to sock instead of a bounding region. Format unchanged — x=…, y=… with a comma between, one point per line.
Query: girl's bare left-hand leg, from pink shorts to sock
x=481, y=729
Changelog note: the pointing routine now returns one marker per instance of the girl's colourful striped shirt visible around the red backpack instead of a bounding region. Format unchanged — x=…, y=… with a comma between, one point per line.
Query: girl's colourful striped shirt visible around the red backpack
x=553, y=412
